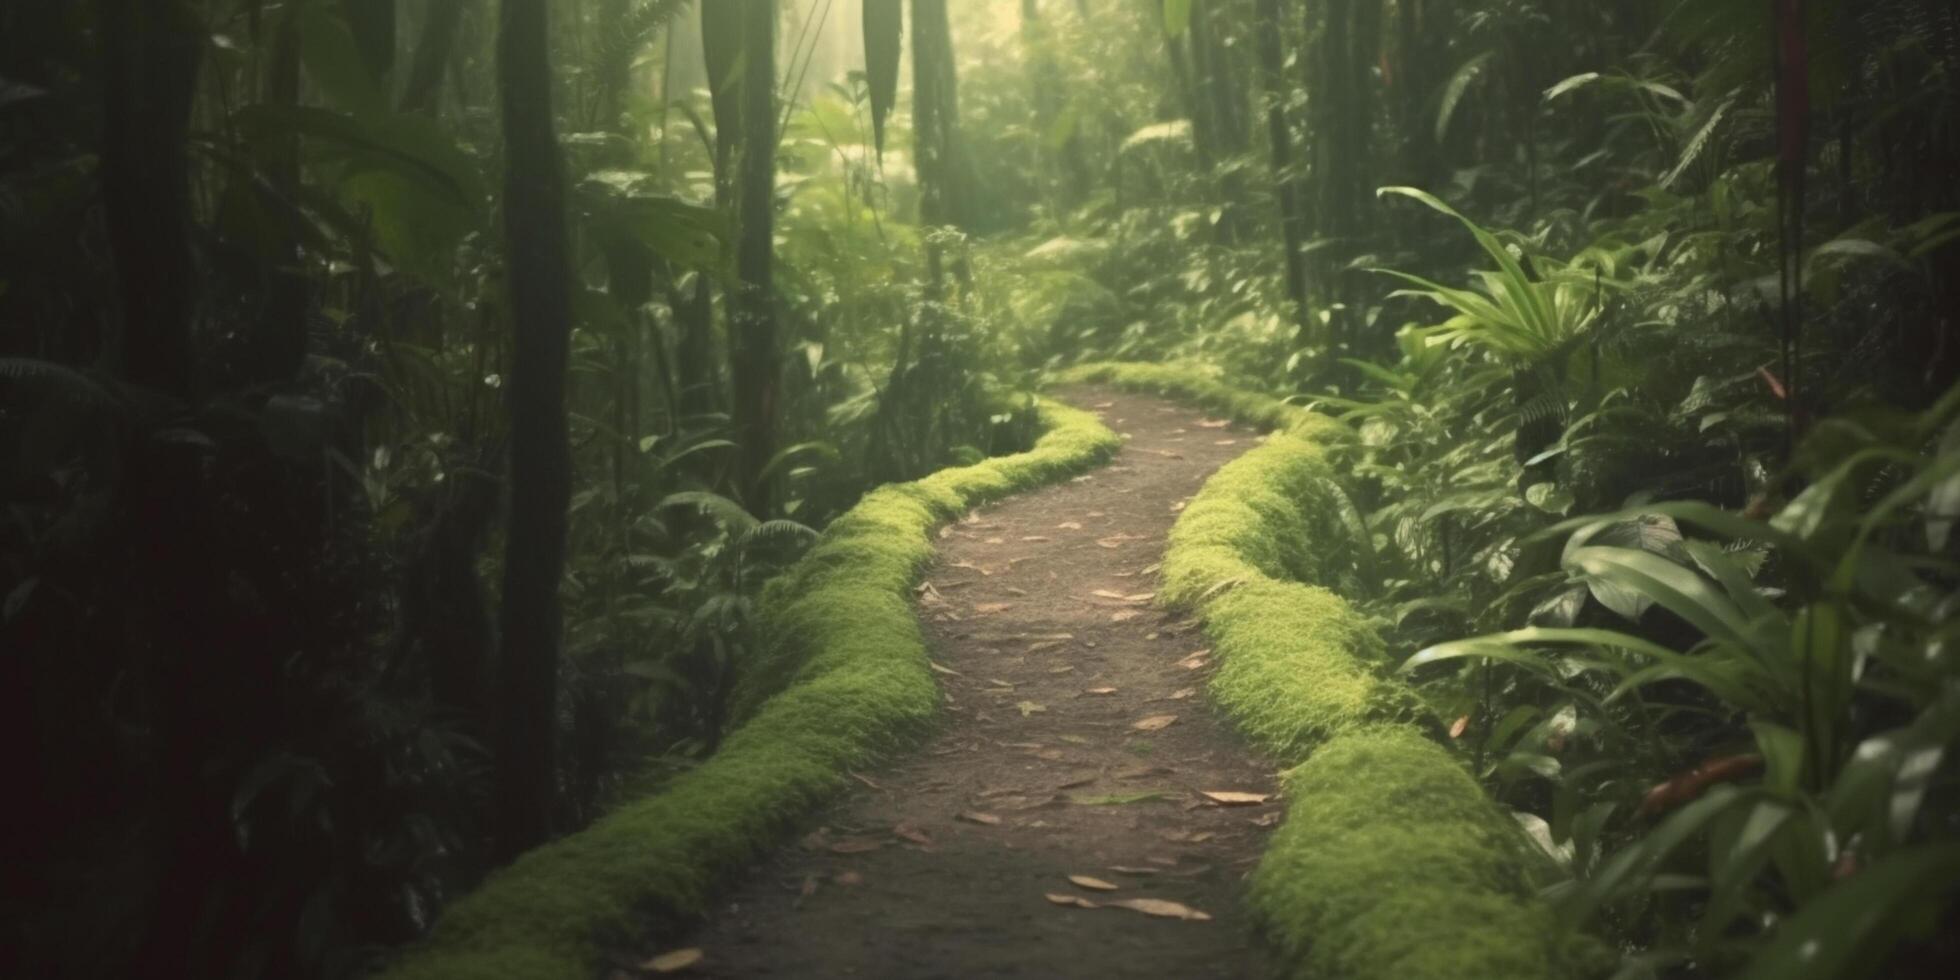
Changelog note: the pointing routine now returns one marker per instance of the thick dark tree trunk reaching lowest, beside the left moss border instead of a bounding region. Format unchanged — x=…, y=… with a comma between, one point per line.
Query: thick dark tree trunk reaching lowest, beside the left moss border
x=540, y=454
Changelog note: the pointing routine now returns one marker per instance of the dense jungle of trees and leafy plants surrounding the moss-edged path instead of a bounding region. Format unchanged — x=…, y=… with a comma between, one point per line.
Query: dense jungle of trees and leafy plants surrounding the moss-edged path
x=1643, y=318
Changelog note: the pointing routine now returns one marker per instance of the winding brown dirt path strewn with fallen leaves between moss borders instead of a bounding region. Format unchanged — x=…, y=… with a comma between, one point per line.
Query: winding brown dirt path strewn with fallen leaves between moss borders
x=1055, y=673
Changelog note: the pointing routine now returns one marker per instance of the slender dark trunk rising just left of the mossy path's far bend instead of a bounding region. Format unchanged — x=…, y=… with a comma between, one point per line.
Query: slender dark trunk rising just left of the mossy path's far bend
x=754, y=358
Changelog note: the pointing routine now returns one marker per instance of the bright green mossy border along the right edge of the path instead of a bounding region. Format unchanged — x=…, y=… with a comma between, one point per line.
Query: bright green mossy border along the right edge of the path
x=1393, y=861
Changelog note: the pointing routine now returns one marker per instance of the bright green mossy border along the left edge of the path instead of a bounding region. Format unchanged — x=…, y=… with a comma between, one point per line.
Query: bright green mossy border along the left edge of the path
x=844, y=681
